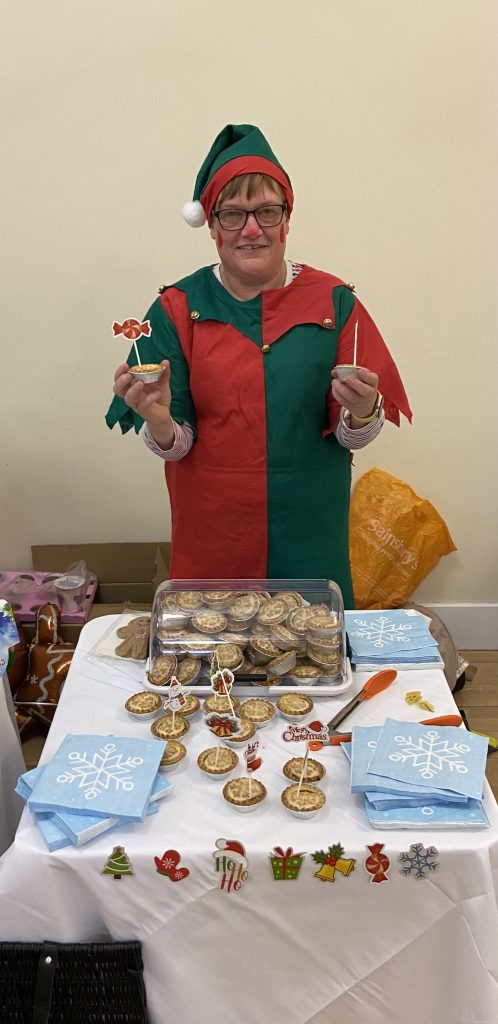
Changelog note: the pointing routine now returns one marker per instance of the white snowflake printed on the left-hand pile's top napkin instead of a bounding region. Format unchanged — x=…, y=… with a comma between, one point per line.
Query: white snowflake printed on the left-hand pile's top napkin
x=105, y=771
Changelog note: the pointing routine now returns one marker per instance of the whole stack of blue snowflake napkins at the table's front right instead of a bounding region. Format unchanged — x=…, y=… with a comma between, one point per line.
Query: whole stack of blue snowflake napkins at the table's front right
x=423, y=777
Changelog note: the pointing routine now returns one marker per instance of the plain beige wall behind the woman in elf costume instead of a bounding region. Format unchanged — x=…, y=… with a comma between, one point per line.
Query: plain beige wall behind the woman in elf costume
x=382, y=111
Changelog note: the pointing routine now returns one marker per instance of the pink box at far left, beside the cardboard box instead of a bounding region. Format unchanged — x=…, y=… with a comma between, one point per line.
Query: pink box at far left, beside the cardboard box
x=27, y=591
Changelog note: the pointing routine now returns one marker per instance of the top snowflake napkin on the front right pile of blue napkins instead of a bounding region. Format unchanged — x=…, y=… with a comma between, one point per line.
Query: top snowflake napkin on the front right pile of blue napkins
x=431, y=756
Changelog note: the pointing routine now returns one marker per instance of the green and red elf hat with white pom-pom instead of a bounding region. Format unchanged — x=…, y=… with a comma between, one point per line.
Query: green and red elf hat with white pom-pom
x=238, y=150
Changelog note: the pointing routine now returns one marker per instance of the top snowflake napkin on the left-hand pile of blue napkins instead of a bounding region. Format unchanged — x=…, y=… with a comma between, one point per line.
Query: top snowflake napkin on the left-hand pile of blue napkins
x=100, y=776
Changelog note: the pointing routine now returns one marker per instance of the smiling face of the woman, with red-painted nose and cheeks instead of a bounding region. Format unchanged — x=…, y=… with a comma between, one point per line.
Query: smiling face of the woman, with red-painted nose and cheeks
x=253, y=258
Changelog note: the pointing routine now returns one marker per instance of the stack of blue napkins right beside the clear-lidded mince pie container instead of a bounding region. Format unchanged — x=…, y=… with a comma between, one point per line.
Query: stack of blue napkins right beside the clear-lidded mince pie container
x=393, y=638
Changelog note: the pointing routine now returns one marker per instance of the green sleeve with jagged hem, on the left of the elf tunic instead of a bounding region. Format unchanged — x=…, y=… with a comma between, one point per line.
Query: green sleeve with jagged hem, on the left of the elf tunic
x=163, y=344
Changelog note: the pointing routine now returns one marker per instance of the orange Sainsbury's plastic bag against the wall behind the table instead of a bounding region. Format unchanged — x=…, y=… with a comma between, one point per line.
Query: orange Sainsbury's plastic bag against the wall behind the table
x=396, y=539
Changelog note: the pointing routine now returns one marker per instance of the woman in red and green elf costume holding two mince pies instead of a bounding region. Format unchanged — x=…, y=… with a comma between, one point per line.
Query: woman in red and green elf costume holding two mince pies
x=255, y=434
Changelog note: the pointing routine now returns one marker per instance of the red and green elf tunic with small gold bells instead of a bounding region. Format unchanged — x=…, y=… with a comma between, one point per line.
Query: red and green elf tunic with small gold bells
x=265, y=491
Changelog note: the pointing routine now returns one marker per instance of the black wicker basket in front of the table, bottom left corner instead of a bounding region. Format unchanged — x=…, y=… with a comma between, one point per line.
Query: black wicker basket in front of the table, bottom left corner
x=72, y=984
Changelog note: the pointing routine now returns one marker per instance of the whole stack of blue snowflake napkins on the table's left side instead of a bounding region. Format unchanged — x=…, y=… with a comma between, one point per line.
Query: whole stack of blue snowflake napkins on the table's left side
x=93, y=785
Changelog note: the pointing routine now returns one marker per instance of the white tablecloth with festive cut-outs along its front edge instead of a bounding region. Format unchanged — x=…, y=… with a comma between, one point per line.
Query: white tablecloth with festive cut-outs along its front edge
x=275, y=953
